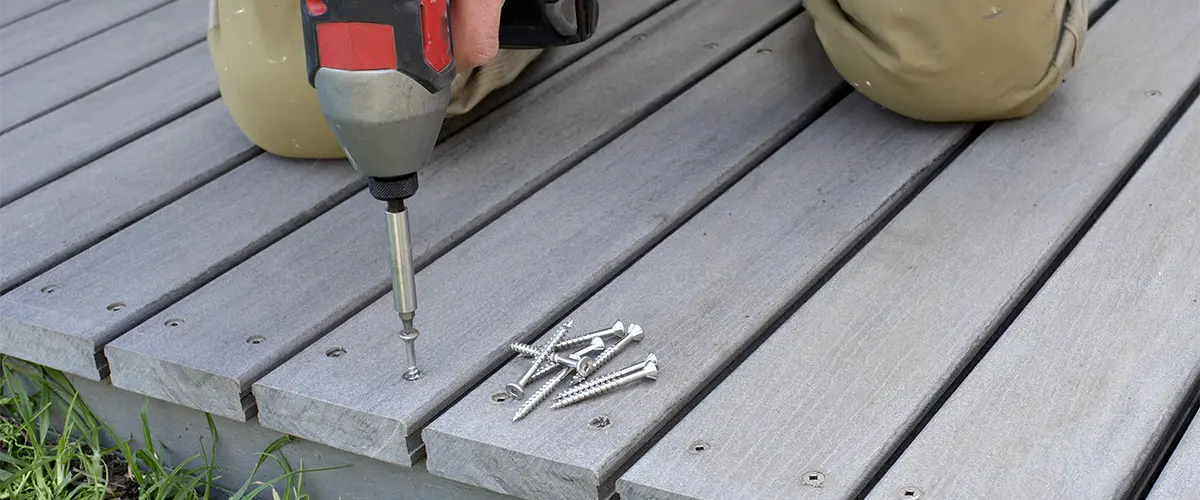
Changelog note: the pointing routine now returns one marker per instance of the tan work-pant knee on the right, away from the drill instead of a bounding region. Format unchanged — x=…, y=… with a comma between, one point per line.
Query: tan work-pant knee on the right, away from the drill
x=953, y=61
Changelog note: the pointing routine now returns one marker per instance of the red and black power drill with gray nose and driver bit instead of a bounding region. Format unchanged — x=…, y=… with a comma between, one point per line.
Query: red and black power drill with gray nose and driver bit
x=382, y=71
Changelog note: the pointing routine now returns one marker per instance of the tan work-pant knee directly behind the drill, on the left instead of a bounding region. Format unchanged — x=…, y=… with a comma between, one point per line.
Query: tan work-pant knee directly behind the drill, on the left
x=257, y=51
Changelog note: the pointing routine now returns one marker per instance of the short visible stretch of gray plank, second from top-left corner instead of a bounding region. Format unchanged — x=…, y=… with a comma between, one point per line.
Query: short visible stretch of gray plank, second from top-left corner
x=63, y=26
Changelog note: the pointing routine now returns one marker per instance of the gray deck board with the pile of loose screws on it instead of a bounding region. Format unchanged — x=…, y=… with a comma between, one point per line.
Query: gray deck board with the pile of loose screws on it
x=705, y=293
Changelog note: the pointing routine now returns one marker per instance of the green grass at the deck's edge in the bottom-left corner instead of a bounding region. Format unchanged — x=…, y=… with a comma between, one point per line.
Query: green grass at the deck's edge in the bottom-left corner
x=40, y=461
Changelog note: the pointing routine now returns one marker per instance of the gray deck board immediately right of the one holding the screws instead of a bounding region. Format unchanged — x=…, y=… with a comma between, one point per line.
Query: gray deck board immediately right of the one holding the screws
x=841, y=383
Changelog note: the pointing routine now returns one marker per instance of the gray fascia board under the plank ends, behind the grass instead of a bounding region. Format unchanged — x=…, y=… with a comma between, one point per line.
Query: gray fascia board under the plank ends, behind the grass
x=182, y=433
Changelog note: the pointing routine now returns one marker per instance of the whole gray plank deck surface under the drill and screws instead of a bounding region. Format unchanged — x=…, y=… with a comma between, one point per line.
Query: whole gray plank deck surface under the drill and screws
x=844, y=303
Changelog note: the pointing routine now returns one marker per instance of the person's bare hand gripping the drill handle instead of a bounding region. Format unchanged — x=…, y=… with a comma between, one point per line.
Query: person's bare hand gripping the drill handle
x=476, y=32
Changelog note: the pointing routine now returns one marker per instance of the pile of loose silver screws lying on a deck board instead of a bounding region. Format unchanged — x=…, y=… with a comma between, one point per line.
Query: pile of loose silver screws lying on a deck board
x=580, y=364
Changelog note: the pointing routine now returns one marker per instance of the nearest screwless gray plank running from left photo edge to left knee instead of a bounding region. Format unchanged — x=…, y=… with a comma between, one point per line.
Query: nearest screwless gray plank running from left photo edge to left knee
x=67, y=216
